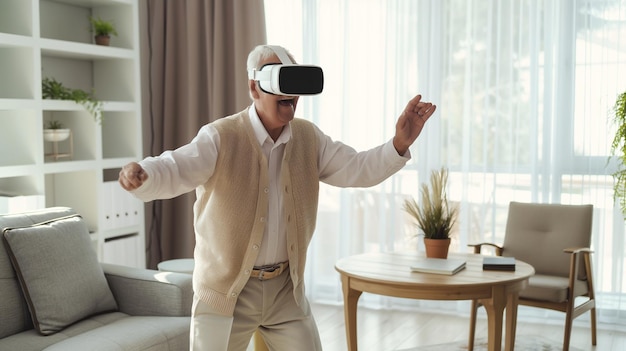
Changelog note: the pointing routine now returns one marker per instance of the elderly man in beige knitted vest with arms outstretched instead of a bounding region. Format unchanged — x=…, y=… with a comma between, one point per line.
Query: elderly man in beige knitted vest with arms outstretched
x=256, y=176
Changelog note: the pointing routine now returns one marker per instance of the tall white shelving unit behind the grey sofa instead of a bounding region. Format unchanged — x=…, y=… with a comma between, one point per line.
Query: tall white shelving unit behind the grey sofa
x=52, y=38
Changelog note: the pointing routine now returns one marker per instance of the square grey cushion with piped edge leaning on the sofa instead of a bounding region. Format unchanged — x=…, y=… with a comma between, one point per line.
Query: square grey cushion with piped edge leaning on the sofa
x=59, y=272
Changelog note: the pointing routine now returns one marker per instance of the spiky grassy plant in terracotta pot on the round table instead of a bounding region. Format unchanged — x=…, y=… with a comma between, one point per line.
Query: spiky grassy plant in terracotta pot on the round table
x=433, y=217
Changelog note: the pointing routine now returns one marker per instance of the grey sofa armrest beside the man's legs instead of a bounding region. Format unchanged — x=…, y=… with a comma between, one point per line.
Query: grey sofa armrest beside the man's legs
x=146, y=292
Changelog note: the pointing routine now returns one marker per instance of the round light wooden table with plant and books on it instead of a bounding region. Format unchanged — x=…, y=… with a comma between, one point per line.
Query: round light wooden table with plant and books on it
x=390, y=274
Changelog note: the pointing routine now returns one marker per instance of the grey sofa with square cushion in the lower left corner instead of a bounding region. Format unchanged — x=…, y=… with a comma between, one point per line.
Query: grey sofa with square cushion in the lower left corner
x=54, y=295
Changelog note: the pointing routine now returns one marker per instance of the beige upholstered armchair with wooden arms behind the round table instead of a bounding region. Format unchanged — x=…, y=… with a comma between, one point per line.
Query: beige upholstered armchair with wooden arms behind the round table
x=555, y=240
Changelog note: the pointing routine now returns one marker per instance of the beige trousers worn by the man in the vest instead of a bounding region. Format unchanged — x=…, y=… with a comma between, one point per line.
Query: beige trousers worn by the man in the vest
x=268, y=306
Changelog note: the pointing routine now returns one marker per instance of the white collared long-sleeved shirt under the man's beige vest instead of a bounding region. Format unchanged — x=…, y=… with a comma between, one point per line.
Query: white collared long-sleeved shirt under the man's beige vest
x=179, y=171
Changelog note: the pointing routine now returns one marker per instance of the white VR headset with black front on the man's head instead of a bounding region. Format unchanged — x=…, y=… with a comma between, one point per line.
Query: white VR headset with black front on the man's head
x=288, y=78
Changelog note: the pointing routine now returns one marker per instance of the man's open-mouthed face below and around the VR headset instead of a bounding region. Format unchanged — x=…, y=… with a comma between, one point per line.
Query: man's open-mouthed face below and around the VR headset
x=275, y=111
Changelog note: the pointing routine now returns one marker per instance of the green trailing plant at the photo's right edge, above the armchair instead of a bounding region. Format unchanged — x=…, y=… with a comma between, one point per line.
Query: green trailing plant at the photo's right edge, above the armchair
x=618, y=148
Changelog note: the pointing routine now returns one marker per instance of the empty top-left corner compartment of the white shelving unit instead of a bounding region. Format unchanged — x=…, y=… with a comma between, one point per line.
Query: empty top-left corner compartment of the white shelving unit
x=16, y=17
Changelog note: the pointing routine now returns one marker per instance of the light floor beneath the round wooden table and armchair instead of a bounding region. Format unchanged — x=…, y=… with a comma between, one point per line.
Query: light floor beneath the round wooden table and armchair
x=381, y=330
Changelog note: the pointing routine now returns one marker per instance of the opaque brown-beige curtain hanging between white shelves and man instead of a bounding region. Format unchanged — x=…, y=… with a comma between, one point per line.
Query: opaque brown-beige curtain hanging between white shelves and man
x=193, y=71
